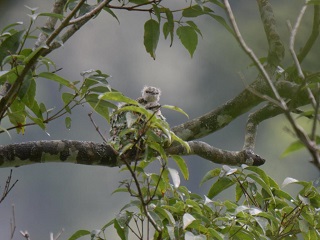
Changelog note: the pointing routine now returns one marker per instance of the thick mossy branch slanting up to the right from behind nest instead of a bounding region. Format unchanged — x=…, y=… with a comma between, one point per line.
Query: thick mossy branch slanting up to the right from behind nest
x=226, y=113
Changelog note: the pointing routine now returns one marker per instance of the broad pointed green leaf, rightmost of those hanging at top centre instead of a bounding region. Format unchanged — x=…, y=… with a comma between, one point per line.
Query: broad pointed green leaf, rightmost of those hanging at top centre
x=188, y=38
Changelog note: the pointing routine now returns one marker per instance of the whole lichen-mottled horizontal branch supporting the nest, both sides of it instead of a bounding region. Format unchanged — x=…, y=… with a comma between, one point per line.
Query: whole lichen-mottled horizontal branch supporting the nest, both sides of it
x=90, y=153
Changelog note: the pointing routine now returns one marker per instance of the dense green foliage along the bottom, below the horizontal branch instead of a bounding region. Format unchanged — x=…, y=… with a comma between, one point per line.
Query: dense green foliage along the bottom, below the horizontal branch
x=261, y=209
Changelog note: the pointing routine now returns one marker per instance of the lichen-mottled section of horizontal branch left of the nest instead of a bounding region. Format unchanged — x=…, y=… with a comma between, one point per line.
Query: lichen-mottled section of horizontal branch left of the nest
x=88, y=153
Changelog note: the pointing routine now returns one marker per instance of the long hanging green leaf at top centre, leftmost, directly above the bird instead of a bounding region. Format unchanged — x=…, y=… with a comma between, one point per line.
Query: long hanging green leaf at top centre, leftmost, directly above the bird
x=151, y=36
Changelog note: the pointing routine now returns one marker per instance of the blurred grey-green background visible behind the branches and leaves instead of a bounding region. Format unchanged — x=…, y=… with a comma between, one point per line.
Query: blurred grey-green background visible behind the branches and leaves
x=49, y=197
